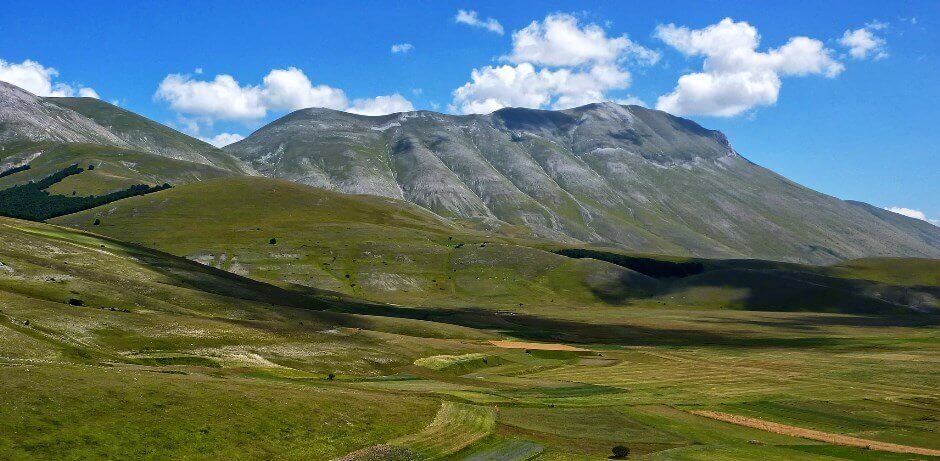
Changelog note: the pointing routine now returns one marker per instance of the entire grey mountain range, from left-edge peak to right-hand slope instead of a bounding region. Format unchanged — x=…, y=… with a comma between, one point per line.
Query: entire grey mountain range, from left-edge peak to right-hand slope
x=604, y=175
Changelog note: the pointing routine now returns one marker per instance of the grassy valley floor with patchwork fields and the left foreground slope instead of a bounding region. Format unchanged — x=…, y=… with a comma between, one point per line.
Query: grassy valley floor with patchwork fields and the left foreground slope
x=111, y=350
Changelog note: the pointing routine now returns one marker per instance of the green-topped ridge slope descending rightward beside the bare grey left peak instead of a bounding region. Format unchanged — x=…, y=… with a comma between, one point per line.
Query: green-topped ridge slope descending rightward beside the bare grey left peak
x=148, y=135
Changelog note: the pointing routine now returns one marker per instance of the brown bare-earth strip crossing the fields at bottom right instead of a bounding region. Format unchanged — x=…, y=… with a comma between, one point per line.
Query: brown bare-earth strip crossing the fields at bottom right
x=827, y=437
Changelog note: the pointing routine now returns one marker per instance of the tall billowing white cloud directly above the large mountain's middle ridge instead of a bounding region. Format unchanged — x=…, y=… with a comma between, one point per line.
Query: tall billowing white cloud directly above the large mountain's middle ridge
x=557, y=63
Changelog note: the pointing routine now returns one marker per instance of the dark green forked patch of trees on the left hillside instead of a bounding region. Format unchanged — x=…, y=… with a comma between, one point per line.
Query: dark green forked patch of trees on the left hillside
x=31, y=201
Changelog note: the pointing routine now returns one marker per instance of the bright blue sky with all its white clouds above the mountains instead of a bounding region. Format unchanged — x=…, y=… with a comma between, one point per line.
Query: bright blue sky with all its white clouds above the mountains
x=843, y=97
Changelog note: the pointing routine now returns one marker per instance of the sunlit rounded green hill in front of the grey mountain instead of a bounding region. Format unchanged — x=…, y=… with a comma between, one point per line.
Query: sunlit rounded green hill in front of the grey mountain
x=367, y=246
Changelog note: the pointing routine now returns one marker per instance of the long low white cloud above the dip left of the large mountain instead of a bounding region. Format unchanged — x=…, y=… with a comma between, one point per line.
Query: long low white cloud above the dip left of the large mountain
x=224, y=98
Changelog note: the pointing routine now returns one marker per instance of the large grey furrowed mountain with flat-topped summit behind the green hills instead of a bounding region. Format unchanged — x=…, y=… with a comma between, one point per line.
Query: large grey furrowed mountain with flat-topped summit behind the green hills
x=603, y=173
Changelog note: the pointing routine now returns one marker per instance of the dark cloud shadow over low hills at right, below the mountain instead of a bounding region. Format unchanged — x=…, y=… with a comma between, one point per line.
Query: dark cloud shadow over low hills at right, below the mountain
x=766, y=285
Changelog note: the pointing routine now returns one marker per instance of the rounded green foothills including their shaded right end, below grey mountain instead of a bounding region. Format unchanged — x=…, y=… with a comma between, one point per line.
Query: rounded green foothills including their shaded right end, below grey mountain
x=392, y=251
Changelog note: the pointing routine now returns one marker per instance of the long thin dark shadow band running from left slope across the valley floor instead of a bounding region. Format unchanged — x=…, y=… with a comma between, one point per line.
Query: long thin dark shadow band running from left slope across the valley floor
x=336, y=309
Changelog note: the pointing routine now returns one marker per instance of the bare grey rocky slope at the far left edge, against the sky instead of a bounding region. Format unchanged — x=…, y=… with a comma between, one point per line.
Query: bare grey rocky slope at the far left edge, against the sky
x=25, y=117
